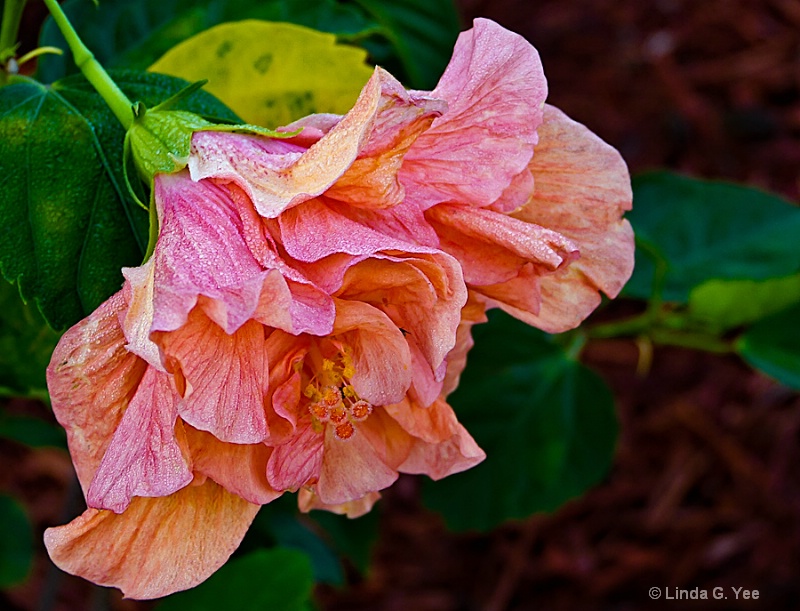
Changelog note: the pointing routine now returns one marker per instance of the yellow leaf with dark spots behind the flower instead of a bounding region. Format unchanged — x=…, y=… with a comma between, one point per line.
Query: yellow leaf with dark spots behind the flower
x=271, y=74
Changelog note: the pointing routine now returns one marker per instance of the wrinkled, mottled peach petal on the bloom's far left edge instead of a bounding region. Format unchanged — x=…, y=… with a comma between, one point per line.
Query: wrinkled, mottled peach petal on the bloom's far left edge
x=92, y=379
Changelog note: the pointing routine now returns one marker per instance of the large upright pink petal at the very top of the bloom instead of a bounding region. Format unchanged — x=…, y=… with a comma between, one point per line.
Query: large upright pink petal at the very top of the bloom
x=495, y=88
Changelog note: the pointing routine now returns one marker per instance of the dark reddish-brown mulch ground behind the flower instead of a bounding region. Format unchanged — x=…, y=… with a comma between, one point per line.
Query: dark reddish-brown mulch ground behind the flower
x=705, y=490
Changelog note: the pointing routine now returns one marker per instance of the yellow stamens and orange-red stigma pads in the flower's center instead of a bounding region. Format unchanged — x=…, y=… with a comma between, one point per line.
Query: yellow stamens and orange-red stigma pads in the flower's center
x=333, y=399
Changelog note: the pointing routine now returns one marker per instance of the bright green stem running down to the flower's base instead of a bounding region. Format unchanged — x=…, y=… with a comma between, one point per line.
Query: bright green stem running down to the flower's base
x=117, y=101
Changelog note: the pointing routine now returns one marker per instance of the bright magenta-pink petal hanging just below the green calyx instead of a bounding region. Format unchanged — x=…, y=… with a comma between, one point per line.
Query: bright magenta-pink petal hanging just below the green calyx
x=201, y=251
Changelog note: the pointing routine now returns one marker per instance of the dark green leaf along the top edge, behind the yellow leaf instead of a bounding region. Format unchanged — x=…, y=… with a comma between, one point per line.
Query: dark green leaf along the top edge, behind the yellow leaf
x=135, y=33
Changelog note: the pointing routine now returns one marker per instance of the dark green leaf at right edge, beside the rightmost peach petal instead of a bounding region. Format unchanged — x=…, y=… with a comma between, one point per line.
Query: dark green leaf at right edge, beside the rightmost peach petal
x=705, y=230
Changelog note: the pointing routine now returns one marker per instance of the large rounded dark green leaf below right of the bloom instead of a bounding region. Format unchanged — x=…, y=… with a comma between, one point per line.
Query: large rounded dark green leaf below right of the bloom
x=546, y=422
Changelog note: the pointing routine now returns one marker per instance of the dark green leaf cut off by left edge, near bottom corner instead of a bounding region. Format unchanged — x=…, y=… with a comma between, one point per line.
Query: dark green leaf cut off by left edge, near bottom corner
x=16, y=543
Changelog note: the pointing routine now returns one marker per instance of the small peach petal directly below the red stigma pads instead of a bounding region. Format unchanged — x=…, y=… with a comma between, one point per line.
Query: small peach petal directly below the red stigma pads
x=351, y=469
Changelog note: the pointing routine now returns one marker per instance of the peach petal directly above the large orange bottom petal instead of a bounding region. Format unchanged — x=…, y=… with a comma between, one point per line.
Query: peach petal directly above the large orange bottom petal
x=239, y=468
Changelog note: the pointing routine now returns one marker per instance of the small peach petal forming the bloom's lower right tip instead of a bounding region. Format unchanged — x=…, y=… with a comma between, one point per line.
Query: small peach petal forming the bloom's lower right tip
x=442, y=446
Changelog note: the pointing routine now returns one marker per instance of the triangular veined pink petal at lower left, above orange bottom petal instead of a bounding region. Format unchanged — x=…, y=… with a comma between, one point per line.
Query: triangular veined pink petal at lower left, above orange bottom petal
x=144, y=457
